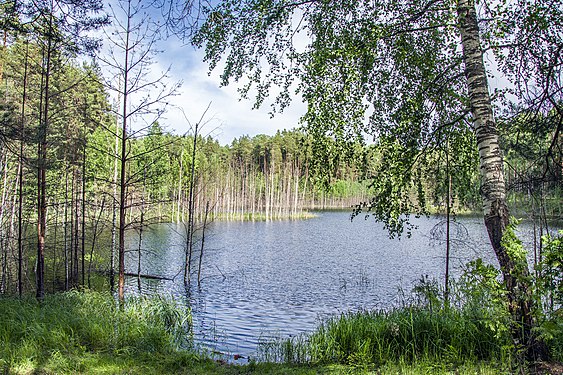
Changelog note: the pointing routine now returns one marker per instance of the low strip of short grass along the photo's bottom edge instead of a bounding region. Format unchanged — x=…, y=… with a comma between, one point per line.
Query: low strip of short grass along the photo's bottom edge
x=190, y=364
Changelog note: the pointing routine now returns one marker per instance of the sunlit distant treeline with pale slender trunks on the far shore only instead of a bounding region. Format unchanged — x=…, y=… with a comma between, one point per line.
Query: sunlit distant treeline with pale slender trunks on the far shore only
x=258, y=178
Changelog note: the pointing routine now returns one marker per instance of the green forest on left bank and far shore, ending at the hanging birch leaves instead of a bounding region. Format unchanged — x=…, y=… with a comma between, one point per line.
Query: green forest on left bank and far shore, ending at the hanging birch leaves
x=62, y=149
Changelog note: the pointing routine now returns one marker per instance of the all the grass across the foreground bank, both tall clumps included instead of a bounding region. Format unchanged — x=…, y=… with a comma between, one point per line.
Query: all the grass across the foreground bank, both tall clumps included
x=88, y=333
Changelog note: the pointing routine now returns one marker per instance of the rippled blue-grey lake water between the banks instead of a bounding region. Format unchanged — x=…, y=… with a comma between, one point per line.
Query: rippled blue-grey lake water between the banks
x=264, y=280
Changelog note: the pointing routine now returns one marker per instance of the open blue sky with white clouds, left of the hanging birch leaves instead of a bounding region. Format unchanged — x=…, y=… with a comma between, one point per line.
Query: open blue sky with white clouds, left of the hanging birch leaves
x=227, y=116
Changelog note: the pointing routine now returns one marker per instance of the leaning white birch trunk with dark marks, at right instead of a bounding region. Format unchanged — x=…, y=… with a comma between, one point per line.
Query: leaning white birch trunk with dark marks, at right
x=493, y=188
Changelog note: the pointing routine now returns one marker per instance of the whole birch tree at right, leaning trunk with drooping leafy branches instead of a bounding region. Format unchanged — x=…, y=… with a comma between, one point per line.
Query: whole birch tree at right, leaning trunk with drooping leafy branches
x=397, y=72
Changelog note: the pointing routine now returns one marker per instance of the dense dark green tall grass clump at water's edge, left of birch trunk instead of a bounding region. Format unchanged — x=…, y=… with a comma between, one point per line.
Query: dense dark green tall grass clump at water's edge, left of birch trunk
x=406, y=335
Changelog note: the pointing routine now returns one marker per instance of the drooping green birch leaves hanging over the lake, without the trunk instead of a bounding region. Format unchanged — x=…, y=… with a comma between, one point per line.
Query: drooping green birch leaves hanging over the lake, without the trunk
x=371, y=72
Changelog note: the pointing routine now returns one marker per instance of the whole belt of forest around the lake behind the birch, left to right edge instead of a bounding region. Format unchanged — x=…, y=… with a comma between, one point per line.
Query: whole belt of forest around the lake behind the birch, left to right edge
x=61, y=159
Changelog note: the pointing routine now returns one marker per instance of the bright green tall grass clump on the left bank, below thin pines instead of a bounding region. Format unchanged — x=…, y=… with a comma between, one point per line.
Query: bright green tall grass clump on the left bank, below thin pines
x=74, y=323
